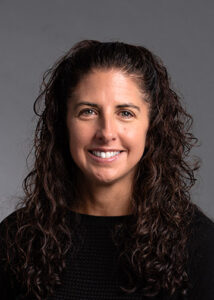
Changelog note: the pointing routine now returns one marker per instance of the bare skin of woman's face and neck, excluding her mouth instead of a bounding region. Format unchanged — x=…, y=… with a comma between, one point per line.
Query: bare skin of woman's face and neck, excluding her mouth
x=106, y=188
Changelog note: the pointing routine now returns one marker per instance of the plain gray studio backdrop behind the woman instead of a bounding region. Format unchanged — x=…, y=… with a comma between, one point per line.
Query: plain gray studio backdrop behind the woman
x=33, y=34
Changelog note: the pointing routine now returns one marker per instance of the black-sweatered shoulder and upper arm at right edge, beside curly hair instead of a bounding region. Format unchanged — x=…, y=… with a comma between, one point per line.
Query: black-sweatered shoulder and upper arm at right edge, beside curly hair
x=201, y=256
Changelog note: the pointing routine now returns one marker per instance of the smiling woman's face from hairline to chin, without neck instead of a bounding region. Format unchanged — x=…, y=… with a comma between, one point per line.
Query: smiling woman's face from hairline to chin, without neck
x=106, y=113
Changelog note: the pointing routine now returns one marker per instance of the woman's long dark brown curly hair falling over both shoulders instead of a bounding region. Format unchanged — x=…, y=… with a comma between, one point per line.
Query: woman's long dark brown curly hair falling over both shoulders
x=155, y=249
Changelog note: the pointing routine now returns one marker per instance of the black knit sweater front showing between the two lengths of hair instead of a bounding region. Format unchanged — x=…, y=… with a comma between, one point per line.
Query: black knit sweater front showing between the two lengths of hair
x=92, y=271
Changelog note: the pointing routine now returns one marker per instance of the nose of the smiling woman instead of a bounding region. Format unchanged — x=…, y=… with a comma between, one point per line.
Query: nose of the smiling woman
x=106, y=130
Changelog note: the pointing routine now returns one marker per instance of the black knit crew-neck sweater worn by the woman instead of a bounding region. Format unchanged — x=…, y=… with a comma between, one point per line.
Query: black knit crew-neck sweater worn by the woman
x=92, y=269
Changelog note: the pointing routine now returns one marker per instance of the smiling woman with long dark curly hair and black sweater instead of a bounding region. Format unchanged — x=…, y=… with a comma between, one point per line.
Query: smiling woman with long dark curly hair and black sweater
x=107, y=212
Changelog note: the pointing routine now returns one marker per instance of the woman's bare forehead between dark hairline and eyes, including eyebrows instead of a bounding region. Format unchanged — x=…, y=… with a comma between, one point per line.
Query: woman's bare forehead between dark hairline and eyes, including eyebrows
x=109, y=88
